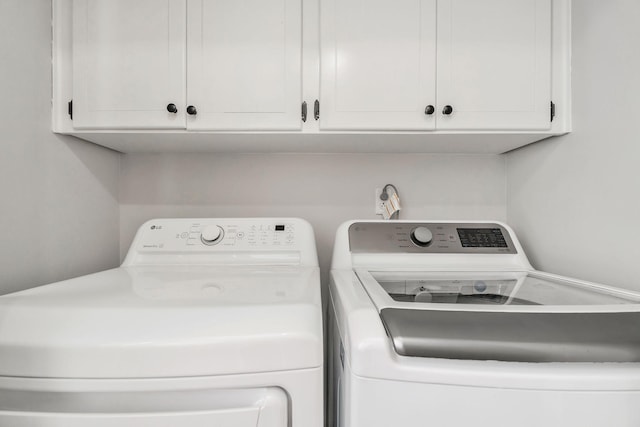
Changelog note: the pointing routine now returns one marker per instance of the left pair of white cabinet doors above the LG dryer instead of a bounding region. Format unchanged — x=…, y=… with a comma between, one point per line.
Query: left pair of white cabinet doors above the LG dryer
x=194, y=64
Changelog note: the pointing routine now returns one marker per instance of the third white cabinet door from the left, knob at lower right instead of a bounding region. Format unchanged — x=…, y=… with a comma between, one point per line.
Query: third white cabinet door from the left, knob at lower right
x=377, y=64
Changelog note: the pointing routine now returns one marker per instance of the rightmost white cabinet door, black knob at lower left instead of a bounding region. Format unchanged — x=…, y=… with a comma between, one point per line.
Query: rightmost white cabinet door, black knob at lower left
x=494, y=64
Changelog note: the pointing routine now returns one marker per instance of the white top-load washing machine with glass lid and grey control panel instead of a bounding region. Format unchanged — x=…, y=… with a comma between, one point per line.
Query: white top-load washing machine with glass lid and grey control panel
x=447, y=324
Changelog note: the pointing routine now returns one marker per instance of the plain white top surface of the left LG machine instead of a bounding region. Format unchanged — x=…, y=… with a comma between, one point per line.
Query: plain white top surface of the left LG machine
x=160, y=321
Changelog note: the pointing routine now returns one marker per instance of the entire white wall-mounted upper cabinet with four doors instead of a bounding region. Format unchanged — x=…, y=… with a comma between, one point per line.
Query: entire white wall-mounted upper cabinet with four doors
x=463, y=76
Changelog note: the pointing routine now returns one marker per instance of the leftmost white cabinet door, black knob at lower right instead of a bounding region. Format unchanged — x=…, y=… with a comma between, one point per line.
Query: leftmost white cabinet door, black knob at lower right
x=128, y=63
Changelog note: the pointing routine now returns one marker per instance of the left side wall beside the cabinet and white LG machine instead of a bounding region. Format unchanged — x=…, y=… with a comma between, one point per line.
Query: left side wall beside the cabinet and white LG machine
x=58, y=196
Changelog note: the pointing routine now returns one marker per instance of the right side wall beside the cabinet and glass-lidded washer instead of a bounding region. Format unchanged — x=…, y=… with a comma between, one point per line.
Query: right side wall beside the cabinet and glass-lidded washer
x=575, y=200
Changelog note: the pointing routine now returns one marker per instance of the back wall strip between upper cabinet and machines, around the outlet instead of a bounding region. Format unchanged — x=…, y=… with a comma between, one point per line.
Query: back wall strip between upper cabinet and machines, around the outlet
x=325, y=189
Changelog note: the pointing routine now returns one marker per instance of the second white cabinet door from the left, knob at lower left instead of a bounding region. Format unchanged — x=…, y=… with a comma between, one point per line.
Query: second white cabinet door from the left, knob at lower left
x=244, y=64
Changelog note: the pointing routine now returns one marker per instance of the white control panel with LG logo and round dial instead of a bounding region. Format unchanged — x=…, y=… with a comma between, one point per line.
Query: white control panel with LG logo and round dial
x=217, y=234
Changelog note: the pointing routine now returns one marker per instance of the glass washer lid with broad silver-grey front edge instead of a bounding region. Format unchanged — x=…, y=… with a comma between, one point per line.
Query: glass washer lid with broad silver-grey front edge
x=522, y=316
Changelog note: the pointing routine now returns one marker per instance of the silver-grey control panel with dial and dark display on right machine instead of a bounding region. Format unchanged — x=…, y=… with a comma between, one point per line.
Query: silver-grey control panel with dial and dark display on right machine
x=407, y=237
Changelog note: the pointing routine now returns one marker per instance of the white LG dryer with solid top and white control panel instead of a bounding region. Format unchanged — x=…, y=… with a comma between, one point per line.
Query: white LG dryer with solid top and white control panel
x=208, y=322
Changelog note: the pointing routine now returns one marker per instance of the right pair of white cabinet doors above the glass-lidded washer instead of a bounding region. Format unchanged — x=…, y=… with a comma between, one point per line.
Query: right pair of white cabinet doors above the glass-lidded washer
x=444, y=65
